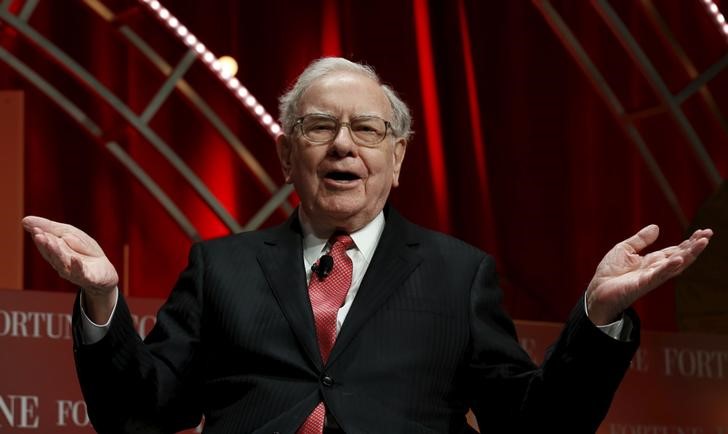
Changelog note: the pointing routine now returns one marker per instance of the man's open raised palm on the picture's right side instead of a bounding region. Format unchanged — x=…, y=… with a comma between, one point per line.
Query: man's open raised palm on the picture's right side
x=623, y=276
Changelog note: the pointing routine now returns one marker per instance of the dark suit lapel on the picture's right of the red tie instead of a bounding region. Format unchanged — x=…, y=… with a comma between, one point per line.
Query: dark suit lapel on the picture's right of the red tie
x=394, y=260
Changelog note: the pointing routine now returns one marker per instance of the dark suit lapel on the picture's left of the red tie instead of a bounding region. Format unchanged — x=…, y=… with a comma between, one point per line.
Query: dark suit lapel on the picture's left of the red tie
x=281, y=259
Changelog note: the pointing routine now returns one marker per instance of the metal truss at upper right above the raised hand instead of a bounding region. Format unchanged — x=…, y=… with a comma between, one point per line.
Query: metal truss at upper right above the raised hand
x=669, y=101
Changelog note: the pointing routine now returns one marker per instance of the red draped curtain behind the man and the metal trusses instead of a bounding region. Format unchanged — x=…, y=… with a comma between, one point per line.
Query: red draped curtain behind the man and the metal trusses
x=514, y=150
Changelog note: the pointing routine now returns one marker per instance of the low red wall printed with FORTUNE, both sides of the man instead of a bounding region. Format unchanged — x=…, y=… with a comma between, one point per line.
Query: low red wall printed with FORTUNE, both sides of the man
x=677, y=383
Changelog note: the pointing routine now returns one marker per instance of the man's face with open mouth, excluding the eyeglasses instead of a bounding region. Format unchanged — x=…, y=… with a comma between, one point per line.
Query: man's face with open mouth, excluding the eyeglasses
x=342, y=185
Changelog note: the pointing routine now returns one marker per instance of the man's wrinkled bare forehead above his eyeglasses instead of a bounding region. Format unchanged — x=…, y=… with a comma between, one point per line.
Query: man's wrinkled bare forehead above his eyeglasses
x=345, y=94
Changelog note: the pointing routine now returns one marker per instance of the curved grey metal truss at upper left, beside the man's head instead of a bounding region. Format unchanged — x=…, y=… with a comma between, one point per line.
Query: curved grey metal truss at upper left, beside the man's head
x=174, y=80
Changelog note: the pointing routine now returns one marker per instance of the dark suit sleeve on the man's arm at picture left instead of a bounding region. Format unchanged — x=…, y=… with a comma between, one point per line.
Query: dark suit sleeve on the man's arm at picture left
x=150, y=386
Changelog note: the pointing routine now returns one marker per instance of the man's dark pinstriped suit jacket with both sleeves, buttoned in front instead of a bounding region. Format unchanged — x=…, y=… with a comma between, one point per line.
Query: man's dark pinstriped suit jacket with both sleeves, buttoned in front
x=424, y=341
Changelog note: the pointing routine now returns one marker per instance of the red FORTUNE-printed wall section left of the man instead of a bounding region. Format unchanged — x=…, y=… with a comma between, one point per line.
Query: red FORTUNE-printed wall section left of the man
x=38, y=386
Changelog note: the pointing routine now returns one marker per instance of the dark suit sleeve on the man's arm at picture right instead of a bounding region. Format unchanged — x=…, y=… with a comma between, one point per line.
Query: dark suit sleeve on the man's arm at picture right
x=570, y=392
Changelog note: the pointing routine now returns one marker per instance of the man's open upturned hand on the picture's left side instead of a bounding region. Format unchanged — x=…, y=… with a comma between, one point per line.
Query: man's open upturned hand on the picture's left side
x=79, y=259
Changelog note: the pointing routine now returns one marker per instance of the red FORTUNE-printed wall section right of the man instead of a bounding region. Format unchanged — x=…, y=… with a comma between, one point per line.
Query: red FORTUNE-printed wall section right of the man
x=677, y=383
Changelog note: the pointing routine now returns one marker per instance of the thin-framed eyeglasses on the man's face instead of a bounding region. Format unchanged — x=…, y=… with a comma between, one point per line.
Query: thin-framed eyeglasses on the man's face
x=319, y=128
